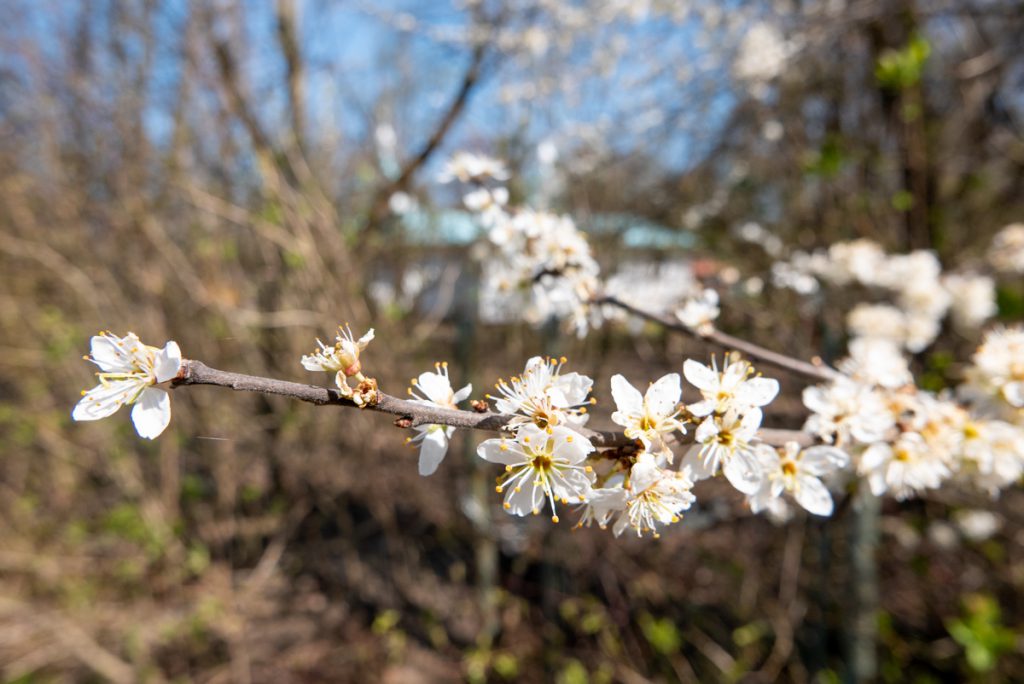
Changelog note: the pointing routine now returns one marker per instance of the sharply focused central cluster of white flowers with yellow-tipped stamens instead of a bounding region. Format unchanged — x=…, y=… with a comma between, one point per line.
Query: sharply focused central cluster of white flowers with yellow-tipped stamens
x=549, y=462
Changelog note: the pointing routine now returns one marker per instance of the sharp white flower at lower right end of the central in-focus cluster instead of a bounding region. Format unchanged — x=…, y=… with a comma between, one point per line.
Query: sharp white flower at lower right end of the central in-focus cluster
x=798, y=472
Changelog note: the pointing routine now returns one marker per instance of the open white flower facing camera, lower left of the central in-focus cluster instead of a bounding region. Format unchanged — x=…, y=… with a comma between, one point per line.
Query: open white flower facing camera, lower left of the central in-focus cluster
x=542, y=466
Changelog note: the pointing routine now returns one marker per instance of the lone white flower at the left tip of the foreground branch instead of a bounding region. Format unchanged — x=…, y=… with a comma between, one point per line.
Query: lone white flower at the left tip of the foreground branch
x=129, y=371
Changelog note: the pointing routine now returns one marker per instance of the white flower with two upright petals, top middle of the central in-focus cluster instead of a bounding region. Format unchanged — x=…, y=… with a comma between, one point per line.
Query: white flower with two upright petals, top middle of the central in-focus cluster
x=651, y=417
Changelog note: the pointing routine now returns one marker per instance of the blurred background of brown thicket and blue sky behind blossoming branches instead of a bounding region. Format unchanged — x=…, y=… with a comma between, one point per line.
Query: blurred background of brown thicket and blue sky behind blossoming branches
x=244, y=177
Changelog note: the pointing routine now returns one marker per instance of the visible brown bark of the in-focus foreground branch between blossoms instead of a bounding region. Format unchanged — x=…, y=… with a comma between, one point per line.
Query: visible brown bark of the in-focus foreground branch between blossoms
x=411, y=414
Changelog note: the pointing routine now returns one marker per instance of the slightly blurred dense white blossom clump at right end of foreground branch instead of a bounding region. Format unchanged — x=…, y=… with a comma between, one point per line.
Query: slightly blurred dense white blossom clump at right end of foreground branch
x=906, y=441
